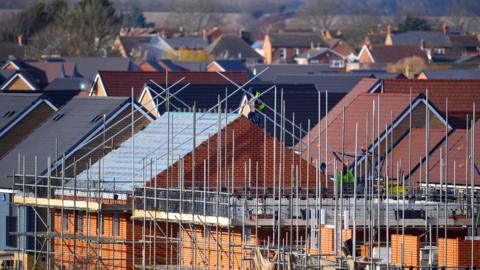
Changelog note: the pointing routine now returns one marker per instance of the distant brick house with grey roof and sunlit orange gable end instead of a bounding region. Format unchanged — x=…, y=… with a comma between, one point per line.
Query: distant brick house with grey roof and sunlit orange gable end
x=284, y=47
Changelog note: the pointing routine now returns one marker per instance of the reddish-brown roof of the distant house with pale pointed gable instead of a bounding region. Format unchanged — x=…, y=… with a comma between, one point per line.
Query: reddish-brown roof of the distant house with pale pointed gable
x=392, y=54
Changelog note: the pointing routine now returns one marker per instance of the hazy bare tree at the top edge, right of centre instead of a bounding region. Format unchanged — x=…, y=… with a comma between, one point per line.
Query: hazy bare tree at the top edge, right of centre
x=319, y=14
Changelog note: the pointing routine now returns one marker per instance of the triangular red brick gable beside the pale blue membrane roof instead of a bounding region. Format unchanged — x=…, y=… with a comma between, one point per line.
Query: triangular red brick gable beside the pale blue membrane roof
x=248, y=149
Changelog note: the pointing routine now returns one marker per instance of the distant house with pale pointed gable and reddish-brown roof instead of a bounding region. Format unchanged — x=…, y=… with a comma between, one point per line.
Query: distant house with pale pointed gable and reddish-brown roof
x=379, y=56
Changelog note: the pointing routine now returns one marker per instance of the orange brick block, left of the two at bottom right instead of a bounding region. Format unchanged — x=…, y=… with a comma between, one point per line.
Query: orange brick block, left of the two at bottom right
x=411, y=249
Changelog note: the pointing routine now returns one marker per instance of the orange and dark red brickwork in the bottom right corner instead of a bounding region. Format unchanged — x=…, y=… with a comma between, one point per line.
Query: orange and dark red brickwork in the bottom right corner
x=459, y=252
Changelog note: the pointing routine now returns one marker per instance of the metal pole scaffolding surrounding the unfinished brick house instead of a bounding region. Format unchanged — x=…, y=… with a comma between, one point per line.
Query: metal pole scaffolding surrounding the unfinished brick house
x=236, y=221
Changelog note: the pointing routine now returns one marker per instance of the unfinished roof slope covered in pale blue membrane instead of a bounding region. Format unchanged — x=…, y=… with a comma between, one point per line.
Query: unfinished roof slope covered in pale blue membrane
x=151, y=149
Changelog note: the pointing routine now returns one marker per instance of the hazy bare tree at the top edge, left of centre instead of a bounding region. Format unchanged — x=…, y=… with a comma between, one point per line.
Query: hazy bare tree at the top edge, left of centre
x=195, y=15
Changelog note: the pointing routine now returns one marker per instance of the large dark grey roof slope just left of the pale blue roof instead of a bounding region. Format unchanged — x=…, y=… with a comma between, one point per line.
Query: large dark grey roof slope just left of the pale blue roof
x=60, y=134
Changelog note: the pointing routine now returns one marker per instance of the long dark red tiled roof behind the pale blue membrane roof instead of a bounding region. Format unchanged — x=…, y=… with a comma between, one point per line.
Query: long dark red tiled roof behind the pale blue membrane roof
x=120, y=83
